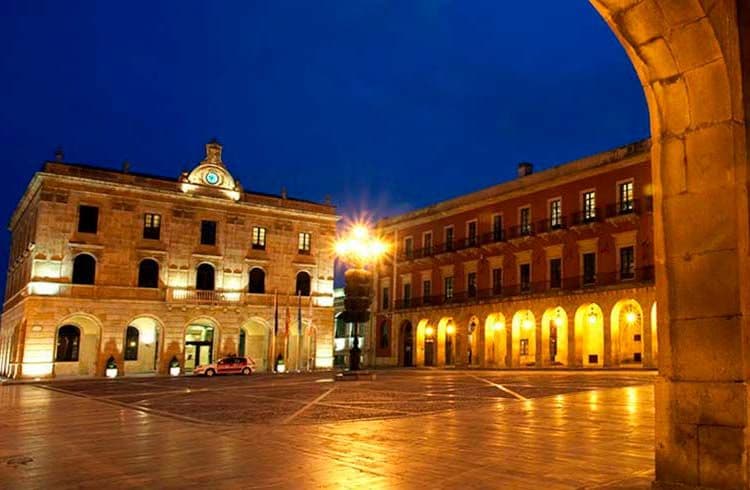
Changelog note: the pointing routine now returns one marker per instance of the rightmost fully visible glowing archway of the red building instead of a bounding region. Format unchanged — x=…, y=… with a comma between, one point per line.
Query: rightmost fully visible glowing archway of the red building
x=627, y=333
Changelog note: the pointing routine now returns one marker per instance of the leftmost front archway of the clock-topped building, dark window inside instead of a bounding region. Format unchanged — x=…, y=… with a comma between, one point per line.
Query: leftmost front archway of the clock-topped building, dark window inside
x=77, y=346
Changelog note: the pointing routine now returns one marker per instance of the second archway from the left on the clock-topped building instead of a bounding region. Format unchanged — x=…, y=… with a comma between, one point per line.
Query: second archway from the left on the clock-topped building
x=142, y=345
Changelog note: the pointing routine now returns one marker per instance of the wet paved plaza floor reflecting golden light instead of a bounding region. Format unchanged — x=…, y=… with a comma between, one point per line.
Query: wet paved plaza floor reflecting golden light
x=406, y=429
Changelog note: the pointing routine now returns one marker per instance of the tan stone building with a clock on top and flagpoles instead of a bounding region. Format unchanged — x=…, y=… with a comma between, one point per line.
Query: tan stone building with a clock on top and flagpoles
x=146, y=269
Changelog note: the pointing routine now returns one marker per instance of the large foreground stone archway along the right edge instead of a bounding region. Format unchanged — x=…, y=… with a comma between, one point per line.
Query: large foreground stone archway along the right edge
x=689, y=58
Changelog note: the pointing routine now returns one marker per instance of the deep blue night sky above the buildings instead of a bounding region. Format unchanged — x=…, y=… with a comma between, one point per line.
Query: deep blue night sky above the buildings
x=385, y=105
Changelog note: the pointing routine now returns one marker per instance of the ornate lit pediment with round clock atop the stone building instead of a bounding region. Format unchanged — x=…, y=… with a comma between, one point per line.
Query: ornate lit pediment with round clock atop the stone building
x=211, y=176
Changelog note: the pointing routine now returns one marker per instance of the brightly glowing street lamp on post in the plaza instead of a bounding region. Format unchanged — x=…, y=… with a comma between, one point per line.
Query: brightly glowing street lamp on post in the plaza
x=360, y=249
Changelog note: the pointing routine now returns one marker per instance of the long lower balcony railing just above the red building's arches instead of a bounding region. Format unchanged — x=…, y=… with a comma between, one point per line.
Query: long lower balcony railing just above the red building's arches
x=642, y=275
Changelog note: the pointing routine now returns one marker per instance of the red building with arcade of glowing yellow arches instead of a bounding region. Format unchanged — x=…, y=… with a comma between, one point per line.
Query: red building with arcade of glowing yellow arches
x=551, y=269
